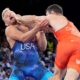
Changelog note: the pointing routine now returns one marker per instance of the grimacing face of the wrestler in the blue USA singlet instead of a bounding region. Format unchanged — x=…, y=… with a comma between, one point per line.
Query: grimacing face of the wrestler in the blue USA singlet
x=9, y=17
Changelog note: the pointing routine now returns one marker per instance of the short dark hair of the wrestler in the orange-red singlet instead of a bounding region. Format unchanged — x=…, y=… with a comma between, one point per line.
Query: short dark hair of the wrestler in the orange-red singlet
x=56, y=8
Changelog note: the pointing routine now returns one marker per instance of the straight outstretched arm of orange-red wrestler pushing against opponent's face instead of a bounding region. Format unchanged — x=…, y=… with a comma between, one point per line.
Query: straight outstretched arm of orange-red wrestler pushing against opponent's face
x=30, y=19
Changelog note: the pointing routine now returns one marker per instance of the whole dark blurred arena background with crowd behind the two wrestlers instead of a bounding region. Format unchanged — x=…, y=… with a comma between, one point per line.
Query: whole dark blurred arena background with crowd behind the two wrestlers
x=30, y=7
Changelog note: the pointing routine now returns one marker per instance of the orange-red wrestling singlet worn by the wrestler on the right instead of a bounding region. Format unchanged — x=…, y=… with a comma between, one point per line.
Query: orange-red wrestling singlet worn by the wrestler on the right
x=68, y=47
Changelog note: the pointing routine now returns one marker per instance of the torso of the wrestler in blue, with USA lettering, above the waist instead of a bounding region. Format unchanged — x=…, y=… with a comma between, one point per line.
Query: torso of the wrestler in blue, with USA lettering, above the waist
x=25, y=53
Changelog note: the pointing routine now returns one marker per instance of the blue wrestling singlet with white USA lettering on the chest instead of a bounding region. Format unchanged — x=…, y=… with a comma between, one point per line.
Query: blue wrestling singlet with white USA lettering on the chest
x=27, y=63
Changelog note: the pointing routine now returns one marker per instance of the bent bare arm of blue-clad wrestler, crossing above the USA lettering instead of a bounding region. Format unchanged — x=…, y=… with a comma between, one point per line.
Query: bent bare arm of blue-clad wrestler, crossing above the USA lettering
x=15, y=34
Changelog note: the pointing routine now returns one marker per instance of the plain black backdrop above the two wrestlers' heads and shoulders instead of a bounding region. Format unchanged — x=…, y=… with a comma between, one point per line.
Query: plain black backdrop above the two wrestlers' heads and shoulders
x=71, y=8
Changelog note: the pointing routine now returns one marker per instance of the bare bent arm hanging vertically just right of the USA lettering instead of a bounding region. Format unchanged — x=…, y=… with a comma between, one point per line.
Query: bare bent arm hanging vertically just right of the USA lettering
x=41, y=39
